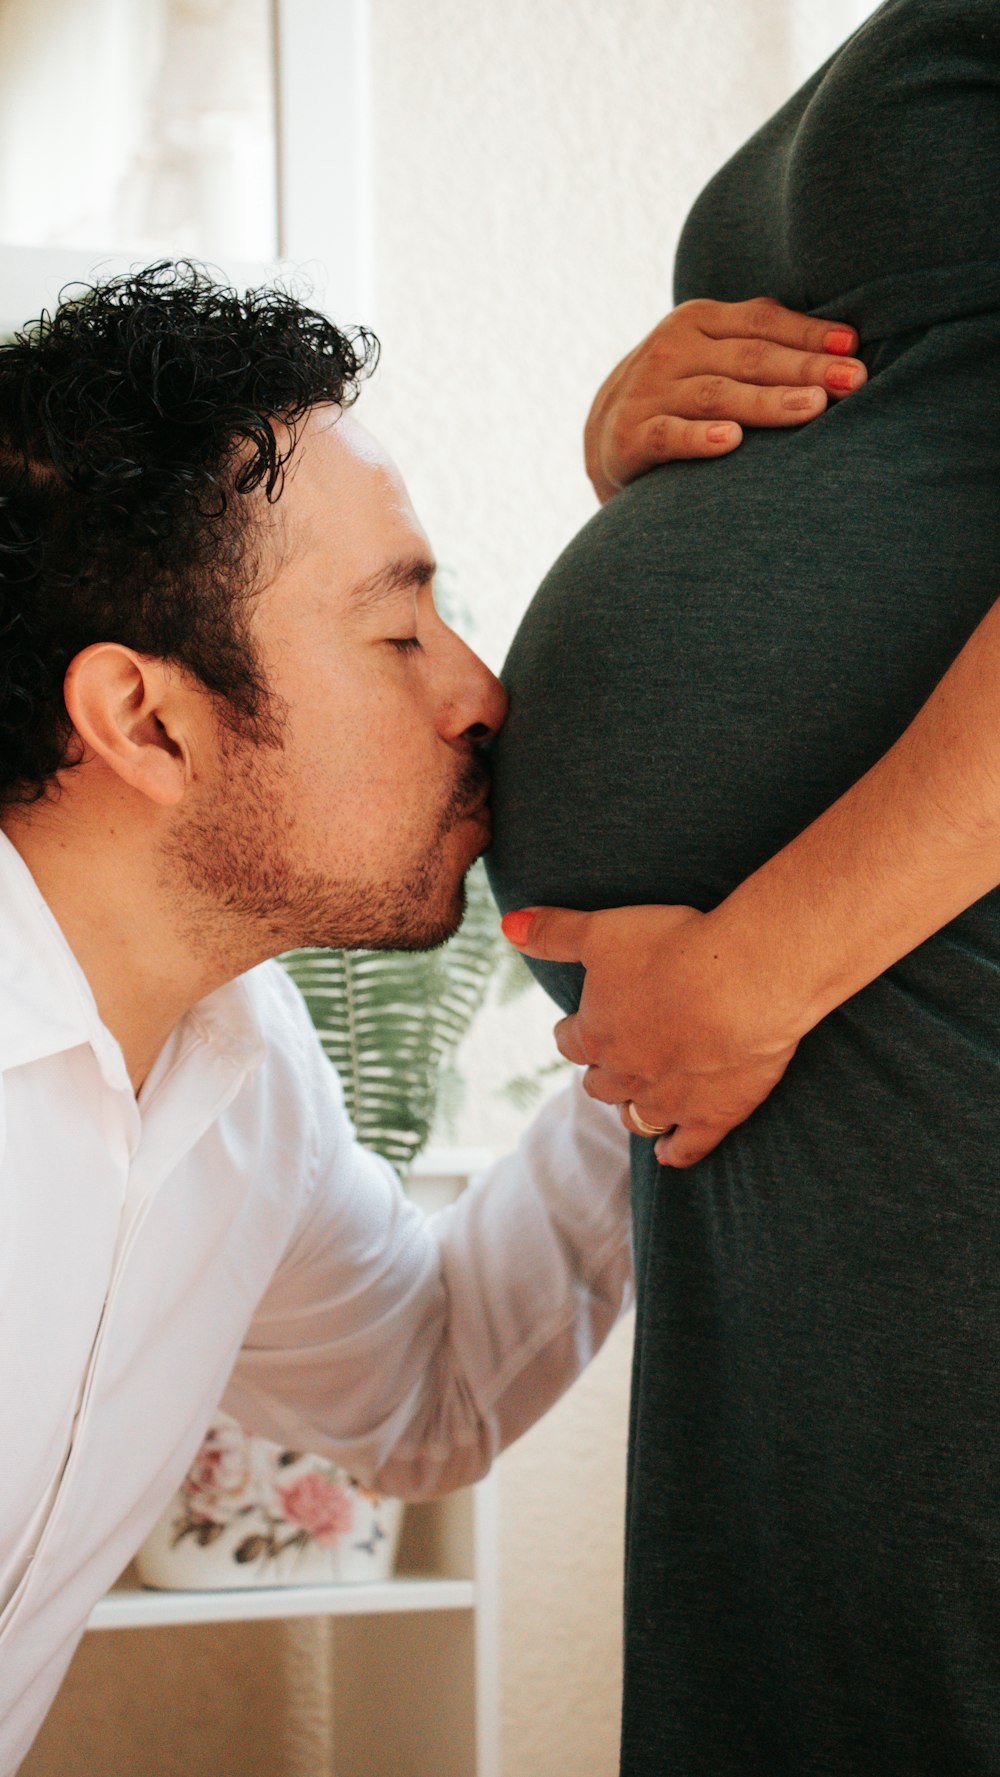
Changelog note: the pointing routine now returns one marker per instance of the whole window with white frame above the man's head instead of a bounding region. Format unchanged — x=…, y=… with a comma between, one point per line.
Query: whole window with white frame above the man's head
x=228, y=131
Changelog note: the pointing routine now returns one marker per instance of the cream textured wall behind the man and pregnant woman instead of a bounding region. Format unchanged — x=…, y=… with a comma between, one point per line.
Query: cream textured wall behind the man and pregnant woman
x=534, y=164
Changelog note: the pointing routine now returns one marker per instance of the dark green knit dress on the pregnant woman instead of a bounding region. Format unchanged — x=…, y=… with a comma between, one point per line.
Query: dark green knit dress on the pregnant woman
x=814, y=1494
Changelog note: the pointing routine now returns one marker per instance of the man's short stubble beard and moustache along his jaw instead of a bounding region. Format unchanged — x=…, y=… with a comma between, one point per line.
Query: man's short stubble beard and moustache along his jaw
x=237, y=886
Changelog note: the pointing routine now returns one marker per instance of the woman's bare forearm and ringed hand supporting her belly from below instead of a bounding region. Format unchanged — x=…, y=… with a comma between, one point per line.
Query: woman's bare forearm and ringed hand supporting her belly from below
x=695, y=1017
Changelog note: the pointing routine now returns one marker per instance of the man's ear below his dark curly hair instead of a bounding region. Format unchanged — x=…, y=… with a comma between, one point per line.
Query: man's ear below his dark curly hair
x=132, y=712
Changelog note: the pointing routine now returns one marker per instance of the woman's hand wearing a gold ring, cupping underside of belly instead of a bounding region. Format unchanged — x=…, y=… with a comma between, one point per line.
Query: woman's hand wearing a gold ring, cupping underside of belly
x=676, y=1021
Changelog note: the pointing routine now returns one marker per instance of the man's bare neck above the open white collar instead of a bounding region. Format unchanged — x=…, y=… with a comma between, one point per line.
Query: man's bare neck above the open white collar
x=100, y=881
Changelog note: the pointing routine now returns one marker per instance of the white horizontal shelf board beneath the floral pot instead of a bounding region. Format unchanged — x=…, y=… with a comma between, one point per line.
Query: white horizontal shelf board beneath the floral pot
x=136, y=1607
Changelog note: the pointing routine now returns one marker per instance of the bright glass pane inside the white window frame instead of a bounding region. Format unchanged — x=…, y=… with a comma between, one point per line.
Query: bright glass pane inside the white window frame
x=139, y=127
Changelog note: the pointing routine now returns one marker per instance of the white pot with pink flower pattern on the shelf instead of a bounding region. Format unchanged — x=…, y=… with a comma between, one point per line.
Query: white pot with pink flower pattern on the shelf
x=251, y=1513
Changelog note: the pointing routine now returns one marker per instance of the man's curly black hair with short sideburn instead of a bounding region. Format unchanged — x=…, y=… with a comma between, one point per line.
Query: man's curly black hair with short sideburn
x=134, y=422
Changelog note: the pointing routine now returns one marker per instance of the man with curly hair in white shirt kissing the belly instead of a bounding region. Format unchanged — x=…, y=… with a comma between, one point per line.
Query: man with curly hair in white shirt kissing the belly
x=232, y=724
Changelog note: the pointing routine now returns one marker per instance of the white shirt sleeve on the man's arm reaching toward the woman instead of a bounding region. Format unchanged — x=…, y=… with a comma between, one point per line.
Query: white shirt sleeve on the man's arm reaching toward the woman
x=411, y=1350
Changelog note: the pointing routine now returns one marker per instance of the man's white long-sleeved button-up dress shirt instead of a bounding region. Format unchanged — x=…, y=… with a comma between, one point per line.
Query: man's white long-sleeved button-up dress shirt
x=225, y=1238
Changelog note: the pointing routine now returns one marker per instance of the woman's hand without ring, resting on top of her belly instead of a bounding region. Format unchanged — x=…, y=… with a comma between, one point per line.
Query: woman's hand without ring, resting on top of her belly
x=704, y=374
